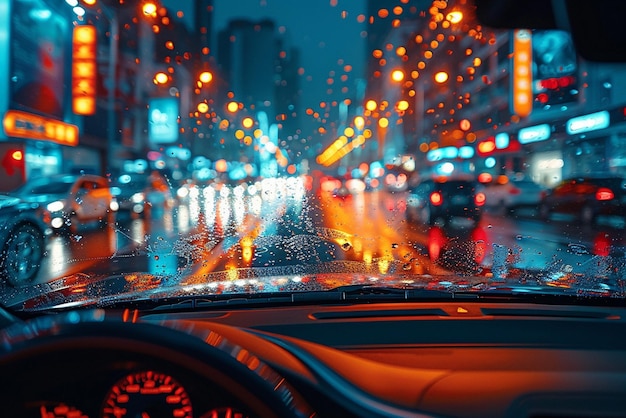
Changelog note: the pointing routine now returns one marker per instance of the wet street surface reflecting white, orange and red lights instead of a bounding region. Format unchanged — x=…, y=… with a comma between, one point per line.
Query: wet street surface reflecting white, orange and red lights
x=224, y=232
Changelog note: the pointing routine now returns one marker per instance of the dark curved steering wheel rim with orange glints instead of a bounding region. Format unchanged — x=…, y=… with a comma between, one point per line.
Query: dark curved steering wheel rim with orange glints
x=213, y=358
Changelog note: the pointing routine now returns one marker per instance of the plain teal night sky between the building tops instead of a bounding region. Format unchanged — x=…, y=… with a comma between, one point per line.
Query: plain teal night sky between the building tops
x=314, y=27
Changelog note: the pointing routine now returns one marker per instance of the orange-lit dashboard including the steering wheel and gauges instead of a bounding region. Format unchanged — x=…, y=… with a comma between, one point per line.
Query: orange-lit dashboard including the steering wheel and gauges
x=439, y=359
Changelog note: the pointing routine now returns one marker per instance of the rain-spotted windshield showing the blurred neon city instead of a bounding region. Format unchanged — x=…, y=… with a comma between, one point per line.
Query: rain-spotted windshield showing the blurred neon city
x=278, y=146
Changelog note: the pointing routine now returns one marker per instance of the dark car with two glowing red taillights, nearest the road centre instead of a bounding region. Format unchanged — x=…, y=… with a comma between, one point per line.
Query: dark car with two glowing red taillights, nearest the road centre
x=441, y=200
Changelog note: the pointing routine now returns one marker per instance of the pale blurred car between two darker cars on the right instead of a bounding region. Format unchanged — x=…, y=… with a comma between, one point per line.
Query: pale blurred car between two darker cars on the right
x=509, y=194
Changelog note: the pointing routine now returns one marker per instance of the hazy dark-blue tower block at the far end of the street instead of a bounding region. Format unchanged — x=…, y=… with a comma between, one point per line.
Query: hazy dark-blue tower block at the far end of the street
x=260, y=72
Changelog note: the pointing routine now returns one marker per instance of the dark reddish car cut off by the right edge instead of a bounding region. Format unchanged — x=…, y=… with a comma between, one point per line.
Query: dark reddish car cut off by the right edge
x=587, y=198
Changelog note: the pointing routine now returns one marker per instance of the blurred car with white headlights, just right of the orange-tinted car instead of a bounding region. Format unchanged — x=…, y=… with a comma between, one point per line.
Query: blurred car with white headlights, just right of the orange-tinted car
x=138, y=193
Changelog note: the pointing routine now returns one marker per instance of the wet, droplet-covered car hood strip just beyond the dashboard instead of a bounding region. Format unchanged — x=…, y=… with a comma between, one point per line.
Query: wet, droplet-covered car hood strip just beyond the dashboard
x=336, y=280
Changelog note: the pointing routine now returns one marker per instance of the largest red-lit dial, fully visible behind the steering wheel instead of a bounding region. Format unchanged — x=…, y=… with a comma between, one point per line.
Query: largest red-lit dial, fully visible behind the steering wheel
x=147, y=394
